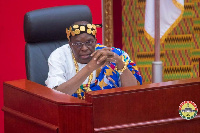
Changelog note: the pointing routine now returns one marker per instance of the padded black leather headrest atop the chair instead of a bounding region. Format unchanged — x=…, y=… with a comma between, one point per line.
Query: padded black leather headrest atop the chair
x=49, y=24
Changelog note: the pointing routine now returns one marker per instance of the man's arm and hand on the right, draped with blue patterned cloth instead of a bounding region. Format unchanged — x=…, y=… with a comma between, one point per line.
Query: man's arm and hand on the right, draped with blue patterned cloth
x=130, y=75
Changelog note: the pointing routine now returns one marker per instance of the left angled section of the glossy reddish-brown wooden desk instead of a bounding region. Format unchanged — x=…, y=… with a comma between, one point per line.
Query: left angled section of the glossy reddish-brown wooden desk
x=30, y=107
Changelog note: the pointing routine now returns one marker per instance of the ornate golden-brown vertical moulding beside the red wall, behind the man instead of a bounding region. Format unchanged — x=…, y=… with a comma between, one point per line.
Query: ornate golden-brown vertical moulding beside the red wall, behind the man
x=107, y=22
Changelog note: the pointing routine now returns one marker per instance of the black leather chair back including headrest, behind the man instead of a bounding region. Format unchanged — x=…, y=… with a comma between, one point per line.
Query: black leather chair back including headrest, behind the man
x=44, y=31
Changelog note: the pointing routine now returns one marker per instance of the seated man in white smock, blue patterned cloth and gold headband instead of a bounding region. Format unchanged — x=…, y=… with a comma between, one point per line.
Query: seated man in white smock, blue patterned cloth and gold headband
x=83, y=65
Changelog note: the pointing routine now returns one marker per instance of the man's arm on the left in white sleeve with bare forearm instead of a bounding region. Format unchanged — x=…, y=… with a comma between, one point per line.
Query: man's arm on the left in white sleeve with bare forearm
x=60, y=75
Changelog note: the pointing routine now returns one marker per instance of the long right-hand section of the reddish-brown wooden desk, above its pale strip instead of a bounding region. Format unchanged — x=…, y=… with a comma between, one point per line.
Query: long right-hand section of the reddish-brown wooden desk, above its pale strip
x=145, y=103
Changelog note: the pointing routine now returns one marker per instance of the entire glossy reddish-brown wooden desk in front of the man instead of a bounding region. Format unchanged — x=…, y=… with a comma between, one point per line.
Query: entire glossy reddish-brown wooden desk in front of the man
x=152, y=108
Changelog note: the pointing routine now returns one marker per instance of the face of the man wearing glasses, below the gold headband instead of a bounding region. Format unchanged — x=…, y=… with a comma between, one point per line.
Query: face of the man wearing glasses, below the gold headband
x=81, y=51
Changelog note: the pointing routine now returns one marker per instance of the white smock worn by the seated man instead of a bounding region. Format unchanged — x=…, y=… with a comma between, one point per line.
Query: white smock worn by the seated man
x=62, y=68
